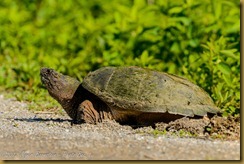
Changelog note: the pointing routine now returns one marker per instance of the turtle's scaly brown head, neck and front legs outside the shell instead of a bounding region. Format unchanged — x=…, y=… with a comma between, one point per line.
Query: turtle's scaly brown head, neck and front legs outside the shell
x=80, y=105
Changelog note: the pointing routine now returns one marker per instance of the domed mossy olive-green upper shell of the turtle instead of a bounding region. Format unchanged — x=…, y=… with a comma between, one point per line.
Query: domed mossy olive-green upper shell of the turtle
x=139, y=89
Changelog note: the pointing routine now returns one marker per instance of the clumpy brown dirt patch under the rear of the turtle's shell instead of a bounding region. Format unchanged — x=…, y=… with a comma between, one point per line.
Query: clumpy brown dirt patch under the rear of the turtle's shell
x=227, y=128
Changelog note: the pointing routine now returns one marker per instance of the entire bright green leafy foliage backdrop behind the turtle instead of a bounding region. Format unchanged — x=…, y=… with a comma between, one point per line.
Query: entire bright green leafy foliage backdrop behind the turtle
x=196, y=39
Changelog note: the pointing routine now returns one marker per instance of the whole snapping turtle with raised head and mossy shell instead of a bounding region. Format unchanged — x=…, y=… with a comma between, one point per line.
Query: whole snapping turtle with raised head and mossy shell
x=130, y=95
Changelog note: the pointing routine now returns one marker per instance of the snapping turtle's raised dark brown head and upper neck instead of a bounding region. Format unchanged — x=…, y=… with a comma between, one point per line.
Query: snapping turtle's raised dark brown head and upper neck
x=60, y=87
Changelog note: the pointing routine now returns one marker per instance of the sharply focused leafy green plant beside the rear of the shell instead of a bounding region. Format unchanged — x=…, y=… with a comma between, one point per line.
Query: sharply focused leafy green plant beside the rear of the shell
x=219, y=70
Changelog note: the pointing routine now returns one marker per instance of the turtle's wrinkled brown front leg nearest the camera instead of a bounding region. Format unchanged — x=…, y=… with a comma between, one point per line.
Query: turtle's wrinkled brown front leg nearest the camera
x=88, y=113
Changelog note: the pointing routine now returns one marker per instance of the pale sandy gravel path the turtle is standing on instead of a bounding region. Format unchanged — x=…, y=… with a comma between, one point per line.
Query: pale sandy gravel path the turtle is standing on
x=28, y=135
